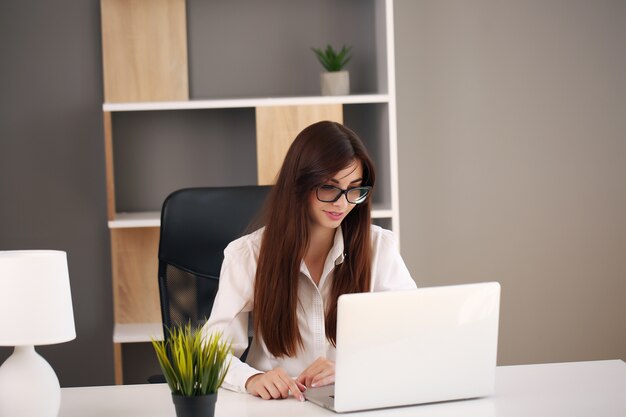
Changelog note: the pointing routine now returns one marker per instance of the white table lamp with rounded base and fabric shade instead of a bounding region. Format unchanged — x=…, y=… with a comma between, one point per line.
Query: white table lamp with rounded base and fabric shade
x=35, y=309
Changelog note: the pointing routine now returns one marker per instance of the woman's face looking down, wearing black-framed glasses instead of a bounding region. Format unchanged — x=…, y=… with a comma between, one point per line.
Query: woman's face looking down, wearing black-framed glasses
x=330, y=215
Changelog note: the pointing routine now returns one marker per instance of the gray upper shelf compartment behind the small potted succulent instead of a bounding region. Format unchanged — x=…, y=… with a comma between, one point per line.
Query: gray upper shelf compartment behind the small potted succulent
x=263, y=48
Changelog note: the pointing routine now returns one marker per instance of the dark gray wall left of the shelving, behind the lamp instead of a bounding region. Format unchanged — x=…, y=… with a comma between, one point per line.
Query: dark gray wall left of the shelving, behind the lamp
x=52, y=193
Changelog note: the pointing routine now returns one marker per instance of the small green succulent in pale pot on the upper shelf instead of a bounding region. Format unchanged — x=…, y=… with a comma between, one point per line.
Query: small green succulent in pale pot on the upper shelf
x=336, y=81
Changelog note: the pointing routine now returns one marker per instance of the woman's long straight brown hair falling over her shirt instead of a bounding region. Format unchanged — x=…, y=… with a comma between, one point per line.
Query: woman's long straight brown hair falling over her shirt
x=317, y=153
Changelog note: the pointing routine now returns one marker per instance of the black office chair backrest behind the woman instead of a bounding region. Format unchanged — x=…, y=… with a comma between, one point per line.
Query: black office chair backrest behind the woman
x=196, y=226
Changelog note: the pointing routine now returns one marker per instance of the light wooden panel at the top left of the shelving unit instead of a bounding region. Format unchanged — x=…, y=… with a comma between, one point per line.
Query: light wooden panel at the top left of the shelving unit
x=144, y=50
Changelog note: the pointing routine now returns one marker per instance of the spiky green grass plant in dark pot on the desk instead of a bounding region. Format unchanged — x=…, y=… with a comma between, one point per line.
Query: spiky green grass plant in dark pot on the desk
x=194, y=367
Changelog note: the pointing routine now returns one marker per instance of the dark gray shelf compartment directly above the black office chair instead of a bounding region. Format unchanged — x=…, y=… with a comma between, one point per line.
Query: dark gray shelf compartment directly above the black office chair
x=157, y=153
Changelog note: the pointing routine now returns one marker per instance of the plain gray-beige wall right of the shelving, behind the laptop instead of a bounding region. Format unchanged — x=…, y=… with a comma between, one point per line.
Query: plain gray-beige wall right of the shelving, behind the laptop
x=512, y=138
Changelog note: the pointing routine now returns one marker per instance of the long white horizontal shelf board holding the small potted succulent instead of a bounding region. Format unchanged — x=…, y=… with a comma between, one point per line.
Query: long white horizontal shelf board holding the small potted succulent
x=245, y=102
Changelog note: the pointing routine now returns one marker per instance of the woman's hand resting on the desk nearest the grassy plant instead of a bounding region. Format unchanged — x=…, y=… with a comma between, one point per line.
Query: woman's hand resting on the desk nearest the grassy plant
x=274, y=384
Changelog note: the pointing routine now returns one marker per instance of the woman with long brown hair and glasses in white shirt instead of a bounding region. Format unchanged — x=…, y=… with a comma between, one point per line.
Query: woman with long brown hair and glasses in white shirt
x=317, y=243
